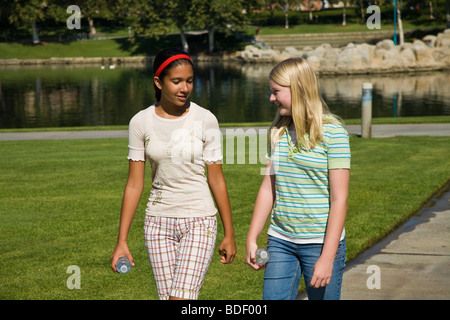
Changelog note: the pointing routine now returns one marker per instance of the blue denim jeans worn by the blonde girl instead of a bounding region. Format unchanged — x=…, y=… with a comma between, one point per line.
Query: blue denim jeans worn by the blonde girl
x=287, y=263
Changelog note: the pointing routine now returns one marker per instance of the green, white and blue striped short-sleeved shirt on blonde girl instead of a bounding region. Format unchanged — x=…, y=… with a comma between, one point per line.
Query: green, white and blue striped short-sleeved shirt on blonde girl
x=301, y=183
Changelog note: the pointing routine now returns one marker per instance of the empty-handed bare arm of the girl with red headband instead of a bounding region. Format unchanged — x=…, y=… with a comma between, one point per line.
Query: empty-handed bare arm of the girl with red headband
x=218, y=187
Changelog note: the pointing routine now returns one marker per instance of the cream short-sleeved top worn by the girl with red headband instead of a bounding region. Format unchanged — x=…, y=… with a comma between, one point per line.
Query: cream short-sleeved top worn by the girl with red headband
x=177, y=150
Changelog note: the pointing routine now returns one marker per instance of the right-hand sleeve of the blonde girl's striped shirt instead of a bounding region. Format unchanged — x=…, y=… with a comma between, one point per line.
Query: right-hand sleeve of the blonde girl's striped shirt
x=338, y=143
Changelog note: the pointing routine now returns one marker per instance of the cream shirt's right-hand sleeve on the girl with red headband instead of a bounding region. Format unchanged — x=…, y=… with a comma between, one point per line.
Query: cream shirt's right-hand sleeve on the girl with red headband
x=212, y=142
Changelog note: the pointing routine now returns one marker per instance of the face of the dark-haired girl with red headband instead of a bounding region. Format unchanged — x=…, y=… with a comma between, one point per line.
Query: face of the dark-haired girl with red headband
x=176, y=86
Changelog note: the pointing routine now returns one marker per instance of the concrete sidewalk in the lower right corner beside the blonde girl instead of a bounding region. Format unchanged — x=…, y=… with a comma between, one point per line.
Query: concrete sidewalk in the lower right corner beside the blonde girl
x=412, y=263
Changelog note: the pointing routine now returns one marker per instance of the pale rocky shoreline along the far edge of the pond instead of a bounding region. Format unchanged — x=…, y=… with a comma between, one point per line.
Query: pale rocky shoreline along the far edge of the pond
x=430, y=53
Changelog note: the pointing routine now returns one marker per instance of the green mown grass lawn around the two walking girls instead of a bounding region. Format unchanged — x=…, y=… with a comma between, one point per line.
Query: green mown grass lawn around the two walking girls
x=60, y=204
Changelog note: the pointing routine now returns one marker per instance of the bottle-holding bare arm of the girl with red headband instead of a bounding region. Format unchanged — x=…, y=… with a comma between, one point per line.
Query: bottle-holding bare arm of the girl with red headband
x=131, y=197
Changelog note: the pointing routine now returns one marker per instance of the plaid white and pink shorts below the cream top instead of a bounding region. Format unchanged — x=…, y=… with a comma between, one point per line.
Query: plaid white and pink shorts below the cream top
x=180, y=251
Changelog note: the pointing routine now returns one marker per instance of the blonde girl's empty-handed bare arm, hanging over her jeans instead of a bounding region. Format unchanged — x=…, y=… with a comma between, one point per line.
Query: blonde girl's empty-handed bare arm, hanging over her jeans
x=339, y=182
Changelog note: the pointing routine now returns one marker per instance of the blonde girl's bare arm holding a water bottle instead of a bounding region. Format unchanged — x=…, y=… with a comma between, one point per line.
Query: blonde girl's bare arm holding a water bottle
x=263, y=207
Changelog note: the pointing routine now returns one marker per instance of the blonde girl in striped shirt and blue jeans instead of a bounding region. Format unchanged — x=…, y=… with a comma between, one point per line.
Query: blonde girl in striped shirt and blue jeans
x=305, y=190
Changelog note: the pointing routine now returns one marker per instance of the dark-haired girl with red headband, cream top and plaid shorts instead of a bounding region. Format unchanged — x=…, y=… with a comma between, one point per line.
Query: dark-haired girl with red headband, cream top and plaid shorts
x=179, y=138
